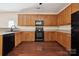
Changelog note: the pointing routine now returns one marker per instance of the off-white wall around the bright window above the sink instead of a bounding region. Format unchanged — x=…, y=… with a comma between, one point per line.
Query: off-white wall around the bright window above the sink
x=5, y=17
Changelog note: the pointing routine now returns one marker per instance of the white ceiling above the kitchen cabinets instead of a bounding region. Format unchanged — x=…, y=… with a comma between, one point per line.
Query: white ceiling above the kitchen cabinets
x=32, y=7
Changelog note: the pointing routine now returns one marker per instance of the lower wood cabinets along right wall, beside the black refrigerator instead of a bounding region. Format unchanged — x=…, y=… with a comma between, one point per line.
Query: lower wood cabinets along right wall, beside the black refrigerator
x=64, y=39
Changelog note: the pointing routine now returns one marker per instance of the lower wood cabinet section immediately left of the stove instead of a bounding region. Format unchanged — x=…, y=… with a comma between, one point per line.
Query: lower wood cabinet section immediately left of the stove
x=28, y=36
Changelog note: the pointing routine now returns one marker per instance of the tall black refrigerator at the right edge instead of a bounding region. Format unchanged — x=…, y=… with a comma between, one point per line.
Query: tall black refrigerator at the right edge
x=75, y=34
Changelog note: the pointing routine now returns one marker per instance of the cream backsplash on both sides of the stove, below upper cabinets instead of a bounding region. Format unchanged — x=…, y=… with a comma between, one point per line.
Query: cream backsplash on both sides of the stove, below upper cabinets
x=65, y=28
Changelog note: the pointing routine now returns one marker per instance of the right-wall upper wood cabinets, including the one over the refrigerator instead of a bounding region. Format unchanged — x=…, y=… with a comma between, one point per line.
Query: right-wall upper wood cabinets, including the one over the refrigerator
x=64, y=18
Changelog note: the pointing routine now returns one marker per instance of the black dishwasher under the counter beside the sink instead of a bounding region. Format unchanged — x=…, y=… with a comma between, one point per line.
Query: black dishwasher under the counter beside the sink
x=8, y=43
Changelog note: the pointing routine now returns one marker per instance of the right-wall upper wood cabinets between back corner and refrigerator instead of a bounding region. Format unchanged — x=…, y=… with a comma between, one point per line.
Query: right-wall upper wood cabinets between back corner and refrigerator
x=64, y=18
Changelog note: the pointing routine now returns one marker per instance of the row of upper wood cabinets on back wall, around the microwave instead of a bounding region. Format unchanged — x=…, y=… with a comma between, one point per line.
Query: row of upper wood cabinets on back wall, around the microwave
x=29, y=19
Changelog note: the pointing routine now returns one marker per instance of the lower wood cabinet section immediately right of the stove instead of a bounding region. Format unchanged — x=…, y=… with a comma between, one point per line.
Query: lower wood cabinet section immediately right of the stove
x=50, y=36
